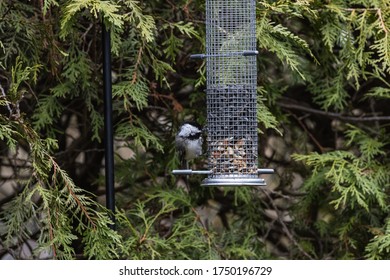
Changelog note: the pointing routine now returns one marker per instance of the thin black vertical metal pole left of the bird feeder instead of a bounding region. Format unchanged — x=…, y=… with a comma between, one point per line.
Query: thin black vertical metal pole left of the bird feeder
x=108, y=129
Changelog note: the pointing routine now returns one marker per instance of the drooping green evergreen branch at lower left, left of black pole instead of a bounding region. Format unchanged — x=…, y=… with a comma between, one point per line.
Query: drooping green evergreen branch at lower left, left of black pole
x=61, y=204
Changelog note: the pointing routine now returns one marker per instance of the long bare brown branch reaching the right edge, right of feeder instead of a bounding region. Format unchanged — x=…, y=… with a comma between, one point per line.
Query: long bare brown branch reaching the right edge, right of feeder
x=331, y=115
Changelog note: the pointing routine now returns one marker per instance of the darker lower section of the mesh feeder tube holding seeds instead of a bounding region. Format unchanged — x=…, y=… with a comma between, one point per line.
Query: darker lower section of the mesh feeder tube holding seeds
x=232, y=130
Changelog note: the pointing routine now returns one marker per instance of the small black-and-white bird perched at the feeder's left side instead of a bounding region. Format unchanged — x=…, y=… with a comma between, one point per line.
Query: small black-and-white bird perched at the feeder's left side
x=189, y=142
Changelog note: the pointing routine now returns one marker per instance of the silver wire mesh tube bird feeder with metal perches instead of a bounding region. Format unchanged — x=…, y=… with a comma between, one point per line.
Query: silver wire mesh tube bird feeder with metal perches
x=231, y=69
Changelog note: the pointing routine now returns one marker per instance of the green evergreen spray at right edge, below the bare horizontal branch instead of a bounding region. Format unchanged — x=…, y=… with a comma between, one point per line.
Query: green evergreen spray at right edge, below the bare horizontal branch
x=353, y=181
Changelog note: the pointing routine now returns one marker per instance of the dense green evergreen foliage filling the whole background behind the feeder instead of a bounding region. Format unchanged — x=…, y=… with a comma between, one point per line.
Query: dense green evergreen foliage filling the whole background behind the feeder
x=324, y=90
